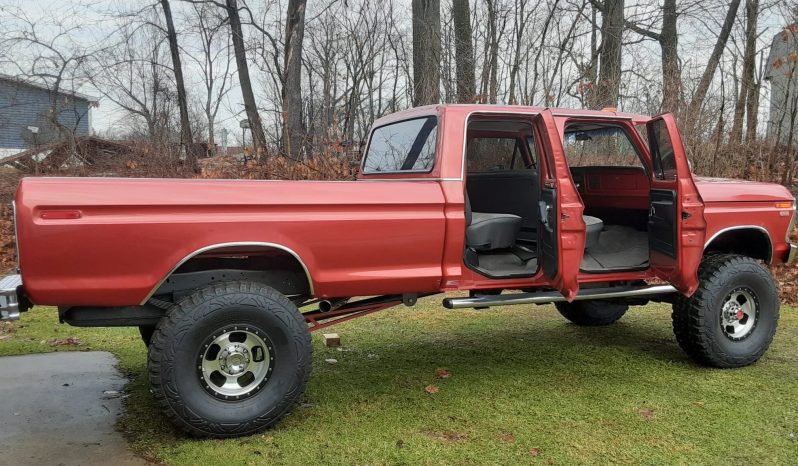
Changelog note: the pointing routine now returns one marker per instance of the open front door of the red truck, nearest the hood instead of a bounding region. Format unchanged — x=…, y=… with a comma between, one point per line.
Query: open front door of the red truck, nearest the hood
x=676, y=225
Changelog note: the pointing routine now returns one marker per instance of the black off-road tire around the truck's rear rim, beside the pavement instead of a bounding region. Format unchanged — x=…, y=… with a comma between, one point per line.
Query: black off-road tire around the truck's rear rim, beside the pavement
x=176, y=356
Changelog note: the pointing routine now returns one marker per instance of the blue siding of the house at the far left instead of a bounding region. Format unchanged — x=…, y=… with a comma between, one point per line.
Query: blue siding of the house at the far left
x=23, y=105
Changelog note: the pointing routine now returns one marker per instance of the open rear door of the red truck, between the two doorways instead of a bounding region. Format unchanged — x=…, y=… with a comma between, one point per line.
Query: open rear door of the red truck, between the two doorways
x=560, y=224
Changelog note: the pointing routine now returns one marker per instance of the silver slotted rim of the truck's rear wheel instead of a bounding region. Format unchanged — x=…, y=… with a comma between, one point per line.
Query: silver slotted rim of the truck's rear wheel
x=235, y=362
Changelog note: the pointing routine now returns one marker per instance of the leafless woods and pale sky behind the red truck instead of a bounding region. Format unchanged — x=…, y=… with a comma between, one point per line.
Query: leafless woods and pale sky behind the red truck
x=310, y=77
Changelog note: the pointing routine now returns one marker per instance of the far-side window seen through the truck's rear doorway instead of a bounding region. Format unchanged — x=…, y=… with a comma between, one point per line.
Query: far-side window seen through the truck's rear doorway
x=496, y=154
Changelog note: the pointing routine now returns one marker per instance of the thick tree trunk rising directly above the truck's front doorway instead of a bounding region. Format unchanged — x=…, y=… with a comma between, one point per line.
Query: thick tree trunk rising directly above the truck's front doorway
x=609, y=79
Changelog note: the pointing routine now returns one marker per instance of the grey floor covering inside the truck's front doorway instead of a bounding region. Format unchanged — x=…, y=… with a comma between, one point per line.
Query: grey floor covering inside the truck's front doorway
x=619, y=247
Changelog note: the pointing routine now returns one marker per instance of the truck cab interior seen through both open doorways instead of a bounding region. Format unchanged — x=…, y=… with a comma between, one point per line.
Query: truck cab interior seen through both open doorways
x=503, y=192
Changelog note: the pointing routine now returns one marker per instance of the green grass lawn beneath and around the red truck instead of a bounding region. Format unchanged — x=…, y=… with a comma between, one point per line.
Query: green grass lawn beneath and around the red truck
x=522, y=378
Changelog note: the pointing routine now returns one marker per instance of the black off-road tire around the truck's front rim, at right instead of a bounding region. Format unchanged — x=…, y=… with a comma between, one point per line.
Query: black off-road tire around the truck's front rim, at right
x=697, y=321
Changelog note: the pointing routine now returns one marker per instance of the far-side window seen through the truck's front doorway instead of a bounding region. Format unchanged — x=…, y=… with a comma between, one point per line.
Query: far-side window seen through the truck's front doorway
x=607, y=146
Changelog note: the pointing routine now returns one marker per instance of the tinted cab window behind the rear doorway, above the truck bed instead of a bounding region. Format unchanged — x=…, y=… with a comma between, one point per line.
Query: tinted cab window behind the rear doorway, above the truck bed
x=403, y=147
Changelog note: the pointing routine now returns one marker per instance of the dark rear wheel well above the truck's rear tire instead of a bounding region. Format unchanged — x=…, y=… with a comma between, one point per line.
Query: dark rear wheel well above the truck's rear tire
x=271, y=265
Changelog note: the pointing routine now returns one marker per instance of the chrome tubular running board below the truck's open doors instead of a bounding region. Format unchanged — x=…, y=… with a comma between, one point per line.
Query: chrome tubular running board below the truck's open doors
x=545, y=297
